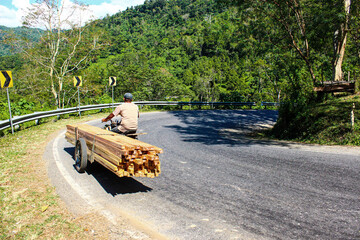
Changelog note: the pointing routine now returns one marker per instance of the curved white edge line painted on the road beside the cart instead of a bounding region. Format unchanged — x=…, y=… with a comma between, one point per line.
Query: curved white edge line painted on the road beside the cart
x=88, y=199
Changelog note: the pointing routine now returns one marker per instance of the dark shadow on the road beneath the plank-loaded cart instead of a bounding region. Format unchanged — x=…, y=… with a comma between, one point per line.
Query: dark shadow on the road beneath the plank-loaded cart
x=111, y=183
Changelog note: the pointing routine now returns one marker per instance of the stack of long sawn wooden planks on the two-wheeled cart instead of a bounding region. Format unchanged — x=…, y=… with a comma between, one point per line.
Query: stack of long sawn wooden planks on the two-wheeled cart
x=122, y=155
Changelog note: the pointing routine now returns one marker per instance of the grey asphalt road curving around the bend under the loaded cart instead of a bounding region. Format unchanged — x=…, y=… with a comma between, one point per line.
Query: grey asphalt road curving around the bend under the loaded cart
x=217, y=184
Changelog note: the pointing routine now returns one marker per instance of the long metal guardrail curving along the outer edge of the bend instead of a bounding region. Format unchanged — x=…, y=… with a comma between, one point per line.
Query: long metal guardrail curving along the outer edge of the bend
x=39, y=115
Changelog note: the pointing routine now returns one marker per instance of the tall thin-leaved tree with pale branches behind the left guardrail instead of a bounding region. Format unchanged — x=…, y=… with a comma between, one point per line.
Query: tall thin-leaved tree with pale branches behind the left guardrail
x=66, y=44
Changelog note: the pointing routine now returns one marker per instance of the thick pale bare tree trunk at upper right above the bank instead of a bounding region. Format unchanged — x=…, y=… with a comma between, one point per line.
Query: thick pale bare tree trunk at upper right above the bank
x=340, y=38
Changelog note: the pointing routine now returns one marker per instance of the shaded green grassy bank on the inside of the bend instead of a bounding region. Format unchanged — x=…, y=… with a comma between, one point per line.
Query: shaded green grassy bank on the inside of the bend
x=328, y=122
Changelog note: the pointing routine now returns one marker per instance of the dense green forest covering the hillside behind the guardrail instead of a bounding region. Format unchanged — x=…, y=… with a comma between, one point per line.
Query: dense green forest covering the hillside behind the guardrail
x=200, y=50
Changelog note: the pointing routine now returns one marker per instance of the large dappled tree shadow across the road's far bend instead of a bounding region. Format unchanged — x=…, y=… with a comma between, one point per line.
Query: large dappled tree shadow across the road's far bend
x=206, y=126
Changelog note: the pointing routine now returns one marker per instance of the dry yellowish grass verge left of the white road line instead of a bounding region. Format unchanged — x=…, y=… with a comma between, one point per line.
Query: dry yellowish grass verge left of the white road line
x=30, y=207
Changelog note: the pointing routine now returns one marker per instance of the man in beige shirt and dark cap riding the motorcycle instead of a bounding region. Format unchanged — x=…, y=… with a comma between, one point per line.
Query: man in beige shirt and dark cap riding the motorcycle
x=129, y=113
